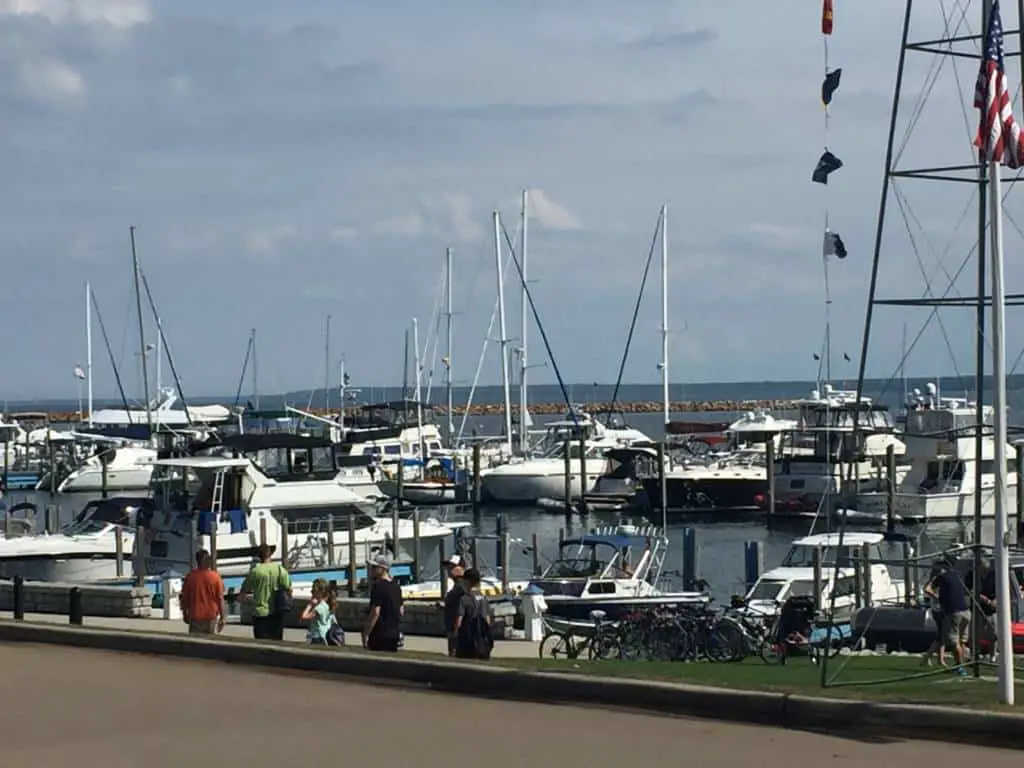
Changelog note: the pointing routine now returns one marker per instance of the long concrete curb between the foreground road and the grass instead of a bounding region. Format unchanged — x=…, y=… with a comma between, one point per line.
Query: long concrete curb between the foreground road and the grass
x=843, y=717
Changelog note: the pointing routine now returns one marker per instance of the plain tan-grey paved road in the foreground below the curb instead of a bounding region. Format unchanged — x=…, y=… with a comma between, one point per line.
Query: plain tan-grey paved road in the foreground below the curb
x=67, y=707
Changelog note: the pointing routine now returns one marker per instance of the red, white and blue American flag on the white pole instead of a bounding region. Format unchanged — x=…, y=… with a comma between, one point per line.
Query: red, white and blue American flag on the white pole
x=999, y=136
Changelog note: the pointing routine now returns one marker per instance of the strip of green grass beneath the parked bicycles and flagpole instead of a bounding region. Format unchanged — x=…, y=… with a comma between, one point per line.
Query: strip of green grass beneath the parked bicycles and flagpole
x=849, y=677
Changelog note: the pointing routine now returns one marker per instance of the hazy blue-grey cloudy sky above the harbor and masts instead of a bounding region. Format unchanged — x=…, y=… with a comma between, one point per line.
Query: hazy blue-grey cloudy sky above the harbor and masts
x=286, y=162
